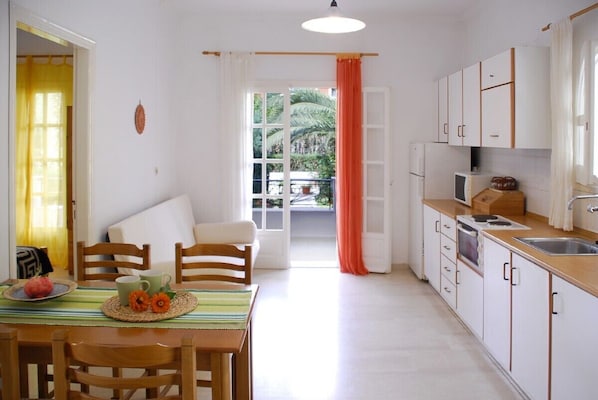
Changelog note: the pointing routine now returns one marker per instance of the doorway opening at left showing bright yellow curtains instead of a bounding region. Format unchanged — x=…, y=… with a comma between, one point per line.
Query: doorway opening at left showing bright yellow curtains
x=44, y=103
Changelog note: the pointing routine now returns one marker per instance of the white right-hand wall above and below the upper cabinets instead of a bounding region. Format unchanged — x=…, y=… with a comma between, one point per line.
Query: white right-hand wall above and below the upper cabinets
x=492, y=28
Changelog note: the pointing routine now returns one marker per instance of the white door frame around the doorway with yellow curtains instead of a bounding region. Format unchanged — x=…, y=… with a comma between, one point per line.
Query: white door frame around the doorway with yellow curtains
x=83, y=55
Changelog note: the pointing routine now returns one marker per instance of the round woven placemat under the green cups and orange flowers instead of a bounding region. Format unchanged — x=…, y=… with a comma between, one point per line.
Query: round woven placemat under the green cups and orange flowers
x=182, y=303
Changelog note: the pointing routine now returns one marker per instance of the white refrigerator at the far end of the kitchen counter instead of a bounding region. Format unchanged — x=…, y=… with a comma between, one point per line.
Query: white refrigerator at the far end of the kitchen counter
x=431, y=176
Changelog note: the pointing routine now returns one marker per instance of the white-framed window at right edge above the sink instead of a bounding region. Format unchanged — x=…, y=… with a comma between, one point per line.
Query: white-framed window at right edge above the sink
x=586, y=112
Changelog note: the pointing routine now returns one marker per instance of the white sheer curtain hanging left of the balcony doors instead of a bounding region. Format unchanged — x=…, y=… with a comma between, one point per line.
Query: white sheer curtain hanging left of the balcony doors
x=236, y=76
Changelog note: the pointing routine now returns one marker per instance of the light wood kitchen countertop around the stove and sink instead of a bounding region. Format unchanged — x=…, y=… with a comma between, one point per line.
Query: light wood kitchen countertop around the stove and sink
x=581, y=271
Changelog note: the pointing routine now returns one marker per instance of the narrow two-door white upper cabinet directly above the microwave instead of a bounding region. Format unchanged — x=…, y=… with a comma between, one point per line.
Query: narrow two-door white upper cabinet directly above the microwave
x=464, y=107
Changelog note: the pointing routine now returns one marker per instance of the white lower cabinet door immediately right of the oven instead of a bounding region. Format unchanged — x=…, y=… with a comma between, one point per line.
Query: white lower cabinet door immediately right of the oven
x=497, y=302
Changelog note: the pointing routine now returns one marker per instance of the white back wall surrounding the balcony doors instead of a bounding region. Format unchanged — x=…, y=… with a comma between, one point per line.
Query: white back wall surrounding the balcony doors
x=413, y=54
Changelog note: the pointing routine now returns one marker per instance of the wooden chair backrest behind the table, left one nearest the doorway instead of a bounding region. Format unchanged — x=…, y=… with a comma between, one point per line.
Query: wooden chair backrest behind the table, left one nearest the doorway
x=97, y=262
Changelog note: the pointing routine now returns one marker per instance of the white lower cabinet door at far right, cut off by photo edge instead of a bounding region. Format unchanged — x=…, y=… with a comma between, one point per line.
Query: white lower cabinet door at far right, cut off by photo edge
x=574, y=342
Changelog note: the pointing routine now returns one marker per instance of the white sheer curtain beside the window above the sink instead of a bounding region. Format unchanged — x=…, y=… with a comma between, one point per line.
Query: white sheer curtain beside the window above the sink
x=561, y=96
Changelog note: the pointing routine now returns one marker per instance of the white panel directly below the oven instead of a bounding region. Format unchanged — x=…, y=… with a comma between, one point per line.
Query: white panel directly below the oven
x=470, y=298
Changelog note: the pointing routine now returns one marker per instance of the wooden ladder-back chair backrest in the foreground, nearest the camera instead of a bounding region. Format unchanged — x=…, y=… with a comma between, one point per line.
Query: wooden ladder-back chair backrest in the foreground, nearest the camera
x=73, y=363
